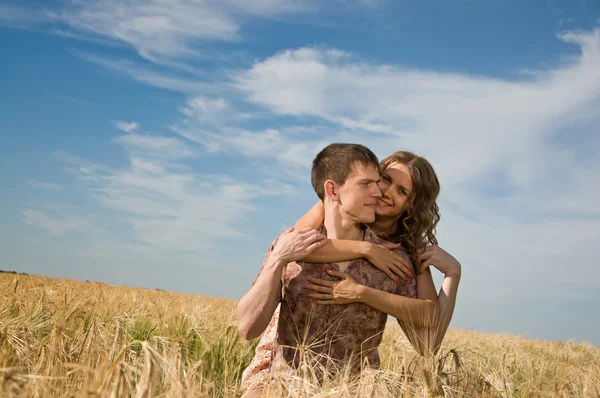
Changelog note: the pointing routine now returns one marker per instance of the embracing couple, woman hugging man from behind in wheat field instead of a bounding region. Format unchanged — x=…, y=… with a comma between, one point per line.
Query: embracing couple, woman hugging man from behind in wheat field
x=363, y=252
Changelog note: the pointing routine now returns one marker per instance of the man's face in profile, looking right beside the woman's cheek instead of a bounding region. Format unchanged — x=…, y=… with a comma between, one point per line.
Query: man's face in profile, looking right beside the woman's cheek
x=359, y=195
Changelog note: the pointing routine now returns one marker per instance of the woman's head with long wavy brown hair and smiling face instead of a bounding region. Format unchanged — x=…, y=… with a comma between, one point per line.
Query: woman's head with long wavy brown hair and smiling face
x=410, y=188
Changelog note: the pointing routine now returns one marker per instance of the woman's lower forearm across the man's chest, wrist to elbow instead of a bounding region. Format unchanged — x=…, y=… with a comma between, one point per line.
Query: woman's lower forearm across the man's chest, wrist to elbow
x=415, y=312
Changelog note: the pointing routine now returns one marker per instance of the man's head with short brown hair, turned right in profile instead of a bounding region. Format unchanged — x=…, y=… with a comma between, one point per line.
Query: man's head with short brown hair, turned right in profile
x=347, y=174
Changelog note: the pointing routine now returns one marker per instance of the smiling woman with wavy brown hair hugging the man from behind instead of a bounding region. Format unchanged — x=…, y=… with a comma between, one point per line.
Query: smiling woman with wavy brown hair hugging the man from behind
x=407, y=214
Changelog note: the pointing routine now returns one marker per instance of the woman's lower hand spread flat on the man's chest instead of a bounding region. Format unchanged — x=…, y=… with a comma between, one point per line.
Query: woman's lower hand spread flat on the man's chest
x=345, y=291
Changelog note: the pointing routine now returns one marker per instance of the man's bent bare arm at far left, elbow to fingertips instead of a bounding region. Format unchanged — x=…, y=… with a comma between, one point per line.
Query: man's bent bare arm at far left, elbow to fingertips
x=256, y=307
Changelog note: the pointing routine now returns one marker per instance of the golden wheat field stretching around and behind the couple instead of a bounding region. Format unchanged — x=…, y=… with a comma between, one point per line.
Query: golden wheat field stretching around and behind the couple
x=86, y=339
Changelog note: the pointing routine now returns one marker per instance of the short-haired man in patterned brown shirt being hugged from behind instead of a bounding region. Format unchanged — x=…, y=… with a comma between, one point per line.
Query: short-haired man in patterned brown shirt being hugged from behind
x=345, y=178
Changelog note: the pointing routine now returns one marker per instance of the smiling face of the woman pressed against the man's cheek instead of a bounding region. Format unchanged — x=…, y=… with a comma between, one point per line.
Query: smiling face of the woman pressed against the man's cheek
x=396, y=186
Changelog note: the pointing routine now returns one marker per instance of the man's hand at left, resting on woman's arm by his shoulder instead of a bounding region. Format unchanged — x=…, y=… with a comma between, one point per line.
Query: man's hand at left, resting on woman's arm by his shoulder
x=294, y=245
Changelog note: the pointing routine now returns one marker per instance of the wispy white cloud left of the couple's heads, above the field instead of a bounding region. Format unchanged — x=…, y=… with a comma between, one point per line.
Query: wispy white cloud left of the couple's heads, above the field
x=166, y=204
